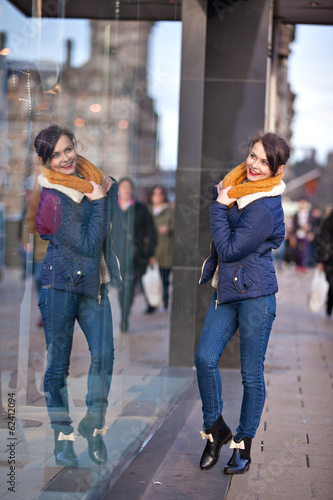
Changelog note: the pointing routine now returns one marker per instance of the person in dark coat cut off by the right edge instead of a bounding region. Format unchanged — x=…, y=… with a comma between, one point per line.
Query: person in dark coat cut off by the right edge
x=324, y=256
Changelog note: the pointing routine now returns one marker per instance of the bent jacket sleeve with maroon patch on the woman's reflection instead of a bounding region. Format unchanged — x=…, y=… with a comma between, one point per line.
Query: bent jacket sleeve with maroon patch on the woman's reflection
x=83, y=239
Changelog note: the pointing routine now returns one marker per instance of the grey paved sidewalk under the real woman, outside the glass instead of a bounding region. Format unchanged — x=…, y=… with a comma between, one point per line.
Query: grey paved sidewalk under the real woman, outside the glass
x=292, y=452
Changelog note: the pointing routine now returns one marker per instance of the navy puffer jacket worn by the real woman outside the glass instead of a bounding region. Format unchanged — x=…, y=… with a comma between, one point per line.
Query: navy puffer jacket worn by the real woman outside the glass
x=241, y=246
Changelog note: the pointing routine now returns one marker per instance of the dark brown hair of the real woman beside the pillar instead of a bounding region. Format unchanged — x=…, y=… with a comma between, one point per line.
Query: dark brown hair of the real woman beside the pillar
x=276, y=149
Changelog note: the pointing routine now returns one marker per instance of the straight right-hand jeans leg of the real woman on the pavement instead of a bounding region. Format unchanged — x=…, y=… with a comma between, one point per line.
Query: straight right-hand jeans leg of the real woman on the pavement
x=255, y=317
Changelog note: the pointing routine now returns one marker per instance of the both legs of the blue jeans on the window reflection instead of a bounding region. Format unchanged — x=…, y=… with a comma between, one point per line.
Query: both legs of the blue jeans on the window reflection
x=59, y=311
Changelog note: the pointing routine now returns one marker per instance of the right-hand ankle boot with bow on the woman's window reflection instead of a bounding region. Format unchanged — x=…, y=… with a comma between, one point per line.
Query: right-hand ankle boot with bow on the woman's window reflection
x=96, y=446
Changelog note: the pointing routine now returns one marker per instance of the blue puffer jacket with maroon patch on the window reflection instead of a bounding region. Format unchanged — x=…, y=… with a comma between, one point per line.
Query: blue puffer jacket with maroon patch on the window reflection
x=78, y=232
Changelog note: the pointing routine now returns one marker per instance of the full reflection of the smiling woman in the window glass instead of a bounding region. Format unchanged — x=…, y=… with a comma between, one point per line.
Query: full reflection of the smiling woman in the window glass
x=74, y=215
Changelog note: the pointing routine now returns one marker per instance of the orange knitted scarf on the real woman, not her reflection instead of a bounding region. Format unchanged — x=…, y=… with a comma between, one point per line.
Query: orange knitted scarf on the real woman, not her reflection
x=239, y=174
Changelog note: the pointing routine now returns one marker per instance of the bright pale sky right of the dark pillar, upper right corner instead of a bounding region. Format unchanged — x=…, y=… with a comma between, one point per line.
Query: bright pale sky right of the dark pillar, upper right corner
x=311, y=79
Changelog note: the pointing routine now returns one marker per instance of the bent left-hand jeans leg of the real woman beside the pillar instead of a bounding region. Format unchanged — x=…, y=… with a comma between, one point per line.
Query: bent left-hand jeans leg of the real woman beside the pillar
x=219, y=326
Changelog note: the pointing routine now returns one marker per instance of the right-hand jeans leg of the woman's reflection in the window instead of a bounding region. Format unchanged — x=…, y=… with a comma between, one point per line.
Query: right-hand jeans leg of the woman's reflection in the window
x=96, y=322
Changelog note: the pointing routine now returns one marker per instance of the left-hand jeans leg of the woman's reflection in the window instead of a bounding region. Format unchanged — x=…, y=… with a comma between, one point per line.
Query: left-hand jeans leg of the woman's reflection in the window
x=58, y=310
